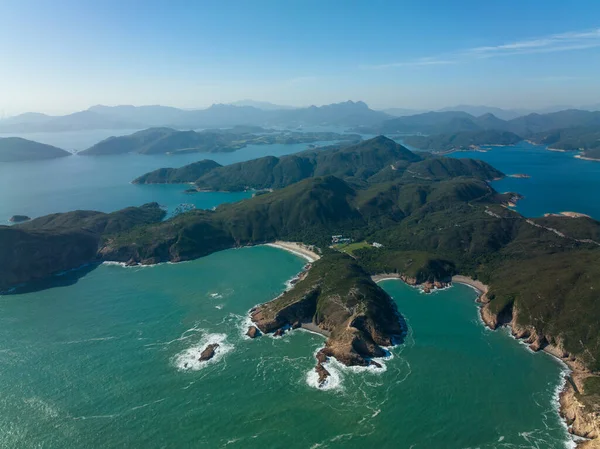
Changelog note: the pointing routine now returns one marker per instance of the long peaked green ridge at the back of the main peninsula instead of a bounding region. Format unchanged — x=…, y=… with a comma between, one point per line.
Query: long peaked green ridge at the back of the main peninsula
x=378, y=158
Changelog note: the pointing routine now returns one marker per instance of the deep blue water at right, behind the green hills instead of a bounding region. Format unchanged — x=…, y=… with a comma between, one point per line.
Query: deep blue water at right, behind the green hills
x=559, y=182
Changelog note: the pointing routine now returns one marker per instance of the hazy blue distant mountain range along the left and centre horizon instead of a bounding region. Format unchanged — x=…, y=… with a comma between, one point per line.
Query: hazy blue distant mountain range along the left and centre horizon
x=219, y=115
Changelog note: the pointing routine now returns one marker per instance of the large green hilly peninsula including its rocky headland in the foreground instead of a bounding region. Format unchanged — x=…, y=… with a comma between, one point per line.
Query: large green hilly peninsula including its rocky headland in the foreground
x=432, y=217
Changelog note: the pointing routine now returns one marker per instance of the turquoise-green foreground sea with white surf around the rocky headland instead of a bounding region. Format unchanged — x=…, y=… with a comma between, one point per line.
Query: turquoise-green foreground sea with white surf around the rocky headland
x=101, y=364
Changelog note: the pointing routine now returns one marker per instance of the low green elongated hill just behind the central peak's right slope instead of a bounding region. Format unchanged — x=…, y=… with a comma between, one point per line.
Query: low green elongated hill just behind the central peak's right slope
x=466, y=140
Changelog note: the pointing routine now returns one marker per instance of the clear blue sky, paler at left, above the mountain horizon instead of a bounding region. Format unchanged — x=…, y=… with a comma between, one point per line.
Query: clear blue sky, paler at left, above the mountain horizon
x=60, y=56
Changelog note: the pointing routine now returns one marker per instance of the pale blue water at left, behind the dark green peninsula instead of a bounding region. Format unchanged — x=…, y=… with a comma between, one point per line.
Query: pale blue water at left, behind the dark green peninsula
x=103, y=183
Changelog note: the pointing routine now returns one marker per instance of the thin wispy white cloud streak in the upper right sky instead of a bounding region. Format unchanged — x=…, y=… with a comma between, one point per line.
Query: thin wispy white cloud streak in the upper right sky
x=570, y=41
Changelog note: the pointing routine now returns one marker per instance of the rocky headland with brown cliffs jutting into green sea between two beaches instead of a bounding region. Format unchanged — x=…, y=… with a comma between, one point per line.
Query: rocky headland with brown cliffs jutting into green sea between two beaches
x=340, y=298
